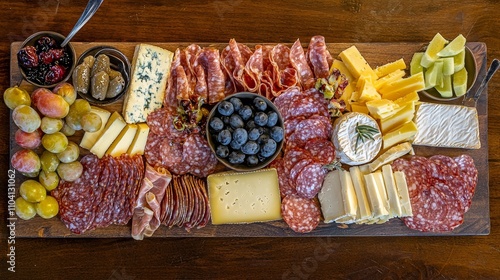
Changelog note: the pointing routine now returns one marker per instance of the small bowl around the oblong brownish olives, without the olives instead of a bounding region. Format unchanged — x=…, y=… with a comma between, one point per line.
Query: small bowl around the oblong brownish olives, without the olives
x=118, y=62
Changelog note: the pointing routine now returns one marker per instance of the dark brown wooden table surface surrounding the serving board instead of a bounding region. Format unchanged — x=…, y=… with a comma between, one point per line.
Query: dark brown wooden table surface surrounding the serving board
x=346, y=21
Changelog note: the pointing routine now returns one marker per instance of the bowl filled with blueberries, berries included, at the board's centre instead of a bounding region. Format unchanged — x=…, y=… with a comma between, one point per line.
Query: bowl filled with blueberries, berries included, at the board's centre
x=245, y=131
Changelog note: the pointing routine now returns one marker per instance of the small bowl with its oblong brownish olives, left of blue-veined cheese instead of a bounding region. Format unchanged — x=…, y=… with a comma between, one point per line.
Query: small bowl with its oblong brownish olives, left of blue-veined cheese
x=101, y=75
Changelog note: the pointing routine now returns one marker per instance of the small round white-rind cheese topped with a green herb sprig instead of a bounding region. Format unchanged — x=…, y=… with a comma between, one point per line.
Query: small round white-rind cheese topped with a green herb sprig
x=345, y=136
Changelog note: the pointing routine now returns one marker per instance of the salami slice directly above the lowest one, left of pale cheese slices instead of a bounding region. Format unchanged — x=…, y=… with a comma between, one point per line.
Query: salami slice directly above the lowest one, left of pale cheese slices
x=310, y=180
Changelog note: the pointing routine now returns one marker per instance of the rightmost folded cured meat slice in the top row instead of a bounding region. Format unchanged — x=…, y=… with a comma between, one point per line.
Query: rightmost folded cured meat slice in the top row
x=319, y=57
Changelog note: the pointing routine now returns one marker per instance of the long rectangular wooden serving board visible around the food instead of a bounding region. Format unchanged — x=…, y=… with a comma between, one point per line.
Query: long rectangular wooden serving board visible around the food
x=476, y=220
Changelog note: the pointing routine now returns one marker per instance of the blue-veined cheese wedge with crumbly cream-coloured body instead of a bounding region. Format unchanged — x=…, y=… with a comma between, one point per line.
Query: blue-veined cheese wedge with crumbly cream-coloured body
x=150, y=71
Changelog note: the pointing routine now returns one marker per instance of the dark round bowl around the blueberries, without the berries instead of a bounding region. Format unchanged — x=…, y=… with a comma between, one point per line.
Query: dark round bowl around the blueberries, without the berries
x=246, y=98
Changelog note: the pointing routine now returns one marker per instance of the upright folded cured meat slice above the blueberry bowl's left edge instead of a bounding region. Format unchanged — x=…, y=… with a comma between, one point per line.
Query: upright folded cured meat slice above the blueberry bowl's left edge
x=209, y=58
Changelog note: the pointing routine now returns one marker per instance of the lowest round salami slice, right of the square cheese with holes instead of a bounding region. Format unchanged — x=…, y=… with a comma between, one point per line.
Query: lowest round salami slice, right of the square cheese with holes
x=302, y=215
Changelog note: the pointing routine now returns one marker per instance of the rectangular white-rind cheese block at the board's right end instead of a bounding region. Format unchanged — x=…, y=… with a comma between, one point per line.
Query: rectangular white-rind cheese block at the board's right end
x=447, y=126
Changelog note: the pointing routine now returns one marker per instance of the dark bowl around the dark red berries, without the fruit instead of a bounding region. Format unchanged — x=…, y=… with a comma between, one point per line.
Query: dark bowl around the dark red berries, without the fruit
x=31, y=40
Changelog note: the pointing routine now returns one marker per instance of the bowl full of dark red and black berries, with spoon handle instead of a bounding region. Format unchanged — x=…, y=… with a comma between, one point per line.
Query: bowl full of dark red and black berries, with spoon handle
x=43, y=62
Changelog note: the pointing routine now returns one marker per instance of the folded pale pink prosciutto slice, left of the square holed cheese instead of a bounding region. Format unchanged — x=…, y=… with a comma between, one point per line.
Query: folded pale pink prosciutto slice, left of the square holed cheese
x=147, y=210
